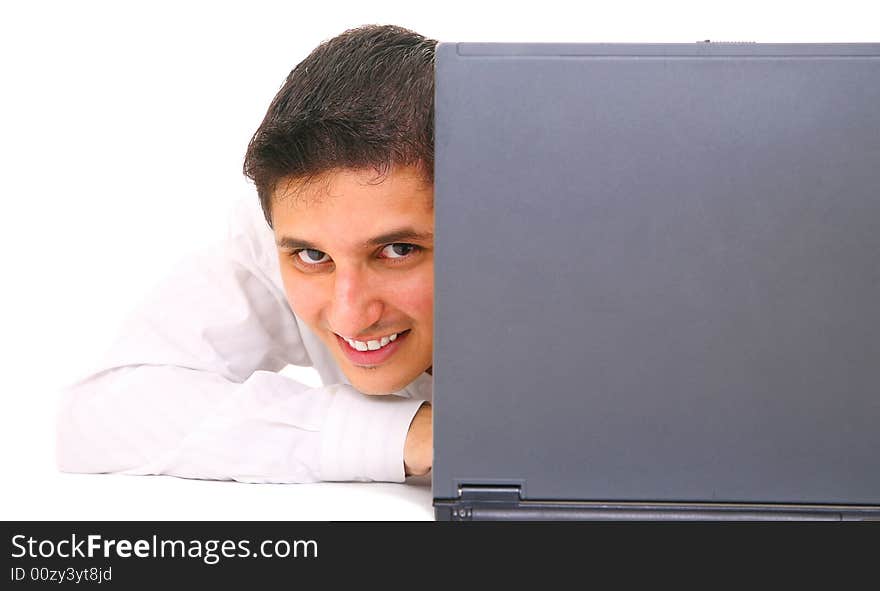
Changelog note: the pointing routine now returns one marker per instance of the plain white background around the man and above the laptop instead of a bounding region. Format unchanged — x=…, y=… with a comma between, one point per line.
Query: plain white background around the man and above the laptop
x=122, y=131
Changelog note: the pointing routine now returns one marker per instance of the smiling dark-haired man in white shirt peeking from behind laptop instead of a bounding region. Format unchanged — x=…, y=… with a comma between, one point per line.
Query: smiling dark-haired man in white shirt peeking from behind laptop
x=337, y=273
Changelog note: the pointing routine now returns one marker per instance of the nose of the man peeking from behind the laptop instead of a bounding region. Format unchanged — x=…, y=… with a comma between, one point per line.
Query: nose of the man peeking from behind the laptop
x=356, y=304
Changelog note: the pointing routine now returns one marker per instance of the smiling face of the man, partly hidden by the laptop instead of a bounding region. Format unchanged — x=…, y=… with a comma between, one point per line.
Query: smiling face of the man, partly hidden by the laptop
x=357, y=260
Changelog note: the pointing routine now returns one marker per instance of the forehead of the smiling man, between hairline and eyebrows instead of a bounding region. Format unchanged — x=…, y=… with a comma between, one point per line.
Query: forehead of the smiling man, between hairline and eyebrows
x=349, y=205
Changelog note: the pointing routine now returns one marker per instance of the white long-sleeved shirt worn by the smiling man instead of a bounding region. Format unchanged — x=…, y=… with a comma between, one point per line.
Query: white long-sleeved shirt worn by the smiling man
x=191, y=386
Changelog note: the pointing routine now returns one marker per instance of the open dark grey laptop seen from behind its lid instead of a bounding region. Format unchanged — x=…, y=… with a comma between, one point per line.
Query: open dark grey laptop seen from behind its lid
x=657, y=281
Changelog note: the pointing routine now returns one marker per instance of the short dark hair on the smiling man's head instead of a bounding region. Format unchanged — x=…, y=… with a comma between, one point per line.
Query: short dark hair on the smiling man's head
x=363, y=99
